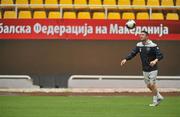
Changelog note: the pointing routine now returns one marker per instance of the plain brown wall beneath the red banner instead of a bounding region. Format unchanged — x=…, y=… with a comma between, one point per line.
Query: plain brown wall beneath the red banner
x=40, y=58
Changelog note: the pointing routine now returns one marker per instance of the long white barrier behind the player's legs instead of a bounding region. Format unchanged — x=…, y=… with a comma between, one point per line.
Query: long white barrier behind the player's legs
x=103, y=81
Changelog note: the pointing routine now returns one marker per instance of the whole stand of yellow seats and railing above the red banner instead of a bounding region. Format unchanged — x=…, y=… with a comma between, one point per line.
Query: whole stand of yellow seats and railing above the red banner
x=56, y=8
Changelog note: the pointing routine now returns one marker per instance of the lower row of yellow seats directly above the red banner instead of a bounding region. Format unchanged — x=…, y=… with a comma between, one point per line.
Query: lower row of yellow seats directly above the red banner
x=87, y=15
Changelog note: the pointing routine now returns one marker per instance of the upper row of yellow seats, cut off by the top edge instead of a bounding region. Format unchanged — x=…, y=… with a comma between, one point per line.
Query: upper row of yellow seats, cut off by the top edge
x=93, y=2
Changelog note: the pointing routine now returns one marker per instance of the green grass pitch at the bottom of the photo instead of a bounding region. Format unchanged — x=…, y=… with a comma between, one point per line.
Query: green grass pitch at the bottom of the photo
x=80, y=106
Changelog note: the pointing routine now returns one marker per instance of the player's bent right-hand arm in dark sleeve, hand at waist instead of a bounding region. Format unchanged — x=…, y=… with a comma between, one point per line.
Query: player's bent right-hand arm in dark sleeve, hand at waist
x=159, y=56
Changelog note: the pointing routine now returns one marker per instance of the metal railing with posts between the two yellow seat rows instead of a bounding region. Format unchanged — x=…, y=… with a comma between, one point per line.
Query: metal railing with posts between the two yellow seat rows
x=106, y=8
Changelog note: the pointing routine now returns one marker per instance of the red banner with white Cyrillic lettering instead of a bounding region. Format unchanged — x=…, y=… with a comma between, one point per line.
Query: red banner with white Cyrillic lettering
x=90, y=29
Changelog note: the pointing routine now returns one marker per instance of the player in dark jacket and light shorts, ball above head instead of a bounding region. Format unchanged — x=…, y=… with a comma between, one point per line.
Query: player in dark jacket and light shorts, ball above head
x=150, y=55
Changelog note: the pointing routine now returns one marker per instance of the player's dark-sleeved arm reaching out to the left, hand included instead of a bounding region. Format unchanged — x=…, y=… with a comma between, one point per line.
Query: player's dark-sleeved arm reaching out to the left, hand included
x=130, y=55
